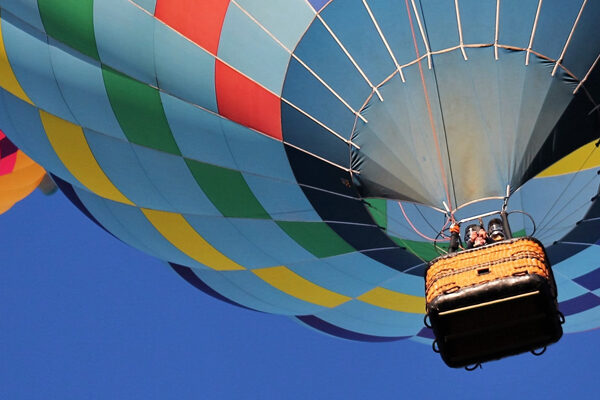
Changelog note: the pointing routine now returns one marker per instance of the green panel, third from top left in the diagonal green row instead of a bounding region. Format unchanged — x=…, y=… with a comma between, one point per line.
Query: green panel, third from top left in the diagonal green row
x=227, y=190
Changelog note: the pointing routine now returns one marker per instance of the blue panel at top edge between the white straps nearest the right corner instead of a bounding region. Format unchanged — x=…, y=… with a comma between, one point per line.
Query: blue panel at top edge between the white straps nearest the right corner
x=554, y=26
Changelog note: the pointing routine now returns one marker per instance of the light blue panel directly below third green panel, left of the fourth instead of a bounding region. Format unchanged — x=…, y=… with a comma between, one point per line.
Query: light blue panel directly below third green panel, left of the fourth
x=270, y=238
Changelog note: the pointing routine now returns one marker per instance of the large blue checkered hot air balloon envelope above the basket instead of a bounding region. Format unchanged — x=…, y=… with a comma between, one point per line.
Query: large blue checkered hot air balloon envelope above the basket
x=293, y=156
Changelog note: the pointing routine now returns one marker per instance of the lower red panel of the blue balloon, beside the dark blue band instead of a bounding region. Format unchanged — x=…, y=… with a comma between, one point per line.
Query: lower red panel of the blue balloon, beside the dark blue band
x=246, y=102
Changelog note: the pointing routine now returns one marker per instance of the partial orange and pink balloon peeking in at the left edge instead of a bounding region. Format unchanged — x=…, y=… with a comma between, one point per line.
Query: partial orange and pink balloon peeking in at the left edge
x=19, y=174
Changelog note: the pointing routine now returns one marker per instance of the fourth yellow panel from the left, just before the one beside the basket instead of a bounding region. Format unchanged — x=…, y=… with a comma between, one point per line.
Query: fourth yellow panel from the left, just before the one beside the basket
x=293, y=284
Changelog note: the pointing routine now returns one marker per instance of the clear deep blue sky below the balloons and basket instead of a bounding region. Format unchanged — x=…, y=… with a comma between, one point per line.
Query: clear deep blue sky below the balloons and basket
x=83, y=316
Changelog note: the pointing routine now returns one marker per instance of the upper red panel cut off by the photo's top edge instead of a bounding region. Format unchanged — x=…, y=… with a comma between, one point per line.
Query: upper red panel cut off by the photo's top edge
x=198, y=20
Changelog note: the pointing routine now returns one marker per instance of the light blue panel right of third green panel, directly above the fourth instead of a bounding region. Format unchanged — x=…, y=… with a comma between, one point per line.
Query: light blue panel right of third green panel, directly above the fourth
x=282, y=200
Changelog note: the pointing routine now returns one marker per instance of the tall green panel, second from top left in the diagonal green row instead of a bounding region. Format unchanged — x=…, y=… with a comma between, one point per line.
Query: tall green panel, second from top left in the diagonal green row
x=139, y=110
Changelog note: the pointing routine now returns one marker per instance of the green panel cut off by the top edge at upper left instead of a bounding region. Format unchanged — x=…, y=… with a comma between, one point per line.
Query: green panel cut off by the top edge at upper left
x=70, y=22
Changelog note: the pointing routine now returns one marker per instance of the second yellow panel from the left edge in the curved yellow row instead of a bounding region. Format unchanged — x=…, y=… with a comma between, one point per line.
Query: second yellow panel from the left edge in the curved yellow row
x=72, y=148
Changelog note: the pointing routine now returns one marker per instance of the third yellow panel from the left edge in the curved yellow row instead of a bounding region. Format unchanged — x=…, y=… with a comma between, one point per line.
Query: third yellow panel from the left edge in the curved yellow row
x=181, y=234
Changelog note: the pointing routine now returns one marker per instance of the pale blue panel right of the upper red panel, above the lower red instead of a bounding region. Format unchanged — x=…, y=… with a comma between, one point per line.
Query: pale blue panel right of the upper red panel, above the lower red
x=250, y=50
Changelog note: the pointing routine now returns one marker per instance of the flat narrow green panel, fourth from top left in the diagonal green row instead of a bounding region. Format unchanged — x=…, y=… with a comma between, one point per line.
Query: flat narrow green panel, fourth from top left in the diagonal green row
x=316, y=237
